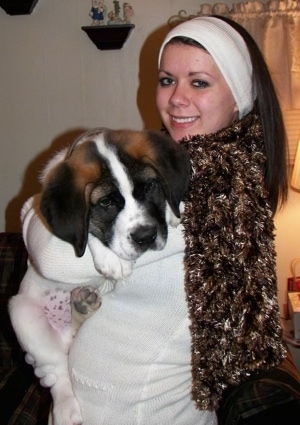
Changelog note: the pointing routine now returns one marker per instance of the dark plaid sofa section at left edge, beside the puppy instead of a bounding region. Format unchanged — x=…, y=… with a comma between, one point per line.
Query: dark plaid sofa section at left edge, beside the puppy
x=22, y=400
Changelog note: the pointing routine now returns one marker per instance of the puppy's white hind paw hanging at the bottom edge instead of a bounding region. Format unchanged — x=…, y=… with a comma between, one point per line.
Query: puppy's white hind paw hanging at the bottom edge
x=67, y=412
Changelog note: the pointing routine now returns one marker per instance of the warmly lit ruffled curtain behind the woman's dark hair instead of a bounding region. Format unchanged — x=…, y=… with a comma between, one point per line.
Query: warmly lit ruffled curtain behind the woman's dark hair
x=275, y=26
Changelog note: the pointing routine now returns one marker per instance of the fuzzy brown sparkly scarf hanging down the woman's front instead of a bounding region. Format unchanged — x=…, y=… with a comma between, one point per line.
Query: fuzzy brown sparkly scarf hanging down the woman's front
x=230, y=282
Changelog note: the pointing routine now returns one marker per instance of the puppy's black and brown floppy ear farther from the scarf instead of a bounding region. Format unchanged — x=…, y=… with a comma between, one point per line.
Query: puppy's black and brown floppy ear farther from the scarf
x=66, y=194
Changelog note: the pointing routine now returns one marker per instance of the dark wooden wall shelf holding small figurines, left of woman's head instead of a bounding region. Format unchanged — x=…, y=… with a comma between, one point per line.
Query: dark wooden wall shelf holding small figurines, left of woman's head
x=109, y=37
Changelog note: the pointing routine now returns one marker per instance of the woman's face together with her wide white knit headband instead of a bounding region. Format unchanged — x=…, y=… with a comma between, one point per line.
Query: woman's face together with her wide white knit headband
x=204, y=91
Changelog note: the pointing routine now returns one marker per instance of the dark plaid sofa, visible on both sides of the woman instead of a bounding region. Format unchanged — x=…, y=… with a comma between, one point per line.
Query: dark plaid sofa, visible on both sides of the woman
x=263, y=400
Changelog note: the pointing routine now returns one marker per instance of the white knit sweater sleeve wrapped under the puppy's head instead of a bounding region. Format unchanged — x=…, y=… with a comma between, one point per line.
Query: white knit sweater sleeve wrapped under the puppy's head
x=53, y=258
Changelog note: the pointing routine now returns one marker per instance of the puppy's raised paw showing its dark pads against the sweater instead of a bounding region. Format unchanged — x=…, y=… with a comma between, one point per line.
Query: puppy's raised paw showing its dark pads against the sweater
x=86, y=300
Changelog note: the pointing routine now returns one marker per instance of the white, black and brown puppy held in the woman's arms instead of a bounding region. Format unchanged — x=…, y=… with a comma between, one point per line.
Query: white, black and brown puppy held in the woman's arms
x=114, y=191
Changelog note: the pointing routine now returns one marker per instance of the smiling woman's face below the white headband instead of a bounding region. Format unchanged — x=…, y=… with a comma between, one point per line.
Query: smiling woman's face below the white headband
x=192, y=95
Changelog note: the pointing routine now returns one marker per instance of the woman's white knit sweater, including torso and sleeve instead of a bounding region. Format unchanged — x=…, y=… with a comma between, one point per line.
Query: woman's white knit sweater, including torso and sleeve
x=130, y=362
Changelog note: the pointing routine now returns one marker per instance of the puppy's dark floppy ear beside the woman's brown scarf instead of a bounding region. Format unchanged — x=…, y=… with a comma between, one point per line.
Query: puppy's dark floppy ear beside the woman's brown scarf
x=172, y=162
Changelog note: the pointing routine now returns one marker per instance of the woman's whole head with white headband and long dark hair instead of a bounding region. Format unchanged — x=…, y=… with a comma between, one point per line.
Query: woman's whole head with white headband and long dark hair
x=237, y=82
